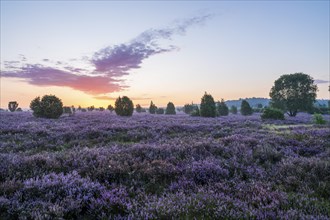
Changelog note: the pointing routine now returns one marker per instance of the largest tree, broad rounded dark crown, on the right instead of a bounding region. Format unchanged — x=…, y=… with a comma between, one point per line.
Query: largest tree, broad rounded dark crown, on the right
x=293, y=92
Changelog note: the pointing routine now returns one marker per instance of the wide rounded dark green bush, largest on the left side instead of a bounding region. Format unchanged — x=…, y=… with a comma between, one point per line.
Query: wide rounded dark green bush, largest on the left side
x=48, y=107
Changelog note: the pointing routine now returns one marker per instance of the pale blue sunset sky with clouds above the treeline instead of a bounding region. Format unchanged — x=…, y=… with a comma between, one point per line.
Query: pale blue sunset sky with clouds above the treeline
x=90, y=52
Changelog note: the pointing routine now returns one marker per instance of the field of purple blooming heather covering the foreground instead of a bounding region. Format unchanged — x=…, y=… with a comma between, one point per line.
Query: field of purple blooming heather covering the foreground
x=96, y=165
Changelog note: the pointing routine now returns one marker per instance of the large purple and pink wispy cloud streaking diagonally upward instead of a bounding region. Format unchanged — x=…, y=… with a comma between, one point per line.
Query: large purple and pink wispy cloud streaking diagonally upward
x=107, y=65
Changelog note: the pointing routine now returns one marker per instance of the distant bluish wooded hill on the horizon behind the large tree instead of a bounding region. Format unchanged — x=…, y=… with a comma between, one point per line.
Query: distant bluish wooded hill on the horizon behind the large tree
x=265, y=102
